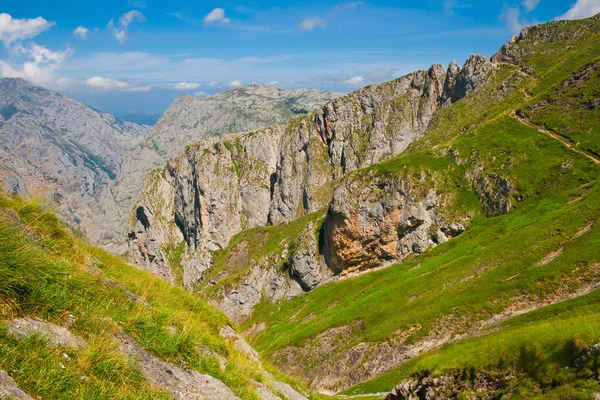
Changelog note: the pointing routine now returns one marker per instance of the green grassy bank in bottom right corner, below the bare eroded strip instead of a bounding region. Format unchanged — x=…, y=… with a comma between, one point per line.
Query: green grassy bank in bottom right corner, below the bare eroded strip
x=540, y=348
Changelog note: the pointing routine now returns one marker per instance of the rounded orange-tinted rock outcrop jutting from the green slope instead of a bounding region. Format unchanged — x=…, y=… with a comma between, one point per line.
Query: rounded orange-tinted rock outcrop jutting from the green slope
x=378, y=218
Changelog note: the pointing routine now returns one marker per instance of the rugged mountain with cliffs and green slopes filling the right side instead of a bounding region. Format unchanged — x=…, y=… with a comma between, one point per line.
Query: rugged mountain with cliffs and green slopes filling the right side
x=435, y=235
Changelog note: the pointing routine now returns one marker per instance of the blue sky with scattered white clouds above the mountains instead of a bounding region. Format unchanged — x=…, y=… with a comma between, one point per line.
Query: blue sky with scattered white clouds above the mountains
x=126, y=55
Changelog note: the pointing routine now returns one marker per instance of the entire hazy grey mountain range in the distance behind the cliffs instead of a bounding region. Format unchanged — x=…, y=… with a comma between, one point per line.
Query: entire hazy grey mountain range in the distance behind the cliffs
x=91, y=164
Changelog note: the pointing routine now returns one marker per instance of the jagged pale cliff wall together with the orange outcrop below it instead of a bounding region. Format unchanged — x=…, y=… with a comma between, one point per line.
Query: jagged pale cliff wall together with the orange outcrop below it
x=223, y=186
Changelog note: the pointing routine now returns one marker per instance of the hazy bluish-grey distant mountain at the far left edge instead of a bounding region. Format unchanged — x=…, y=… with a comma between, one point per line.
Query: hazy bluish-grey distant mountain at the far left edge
x=56, y=147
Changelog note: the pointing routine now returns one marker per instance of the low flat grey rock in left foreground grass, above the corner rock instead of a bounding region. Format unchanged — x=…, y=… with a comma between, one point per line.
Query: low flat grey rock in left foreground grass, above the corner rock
x=57, y=336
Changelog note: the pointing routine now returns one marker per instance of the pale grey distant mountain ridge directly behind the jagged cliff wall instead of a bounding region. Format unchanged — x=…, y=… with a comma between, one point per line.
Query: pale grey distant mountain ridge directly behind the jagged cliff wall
x=190, y=119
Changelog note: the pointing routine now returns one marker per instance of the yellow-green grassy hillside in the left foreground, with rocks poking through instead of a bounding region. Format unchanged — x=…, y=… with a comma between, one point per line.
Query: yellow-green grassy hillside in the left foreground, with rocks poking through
x=46, y=274
